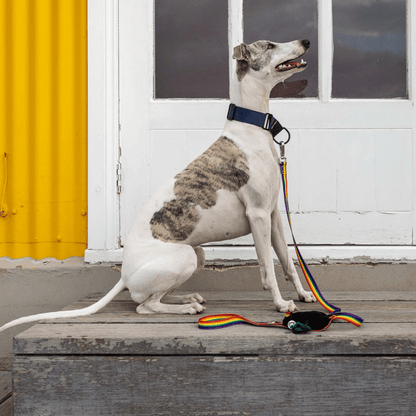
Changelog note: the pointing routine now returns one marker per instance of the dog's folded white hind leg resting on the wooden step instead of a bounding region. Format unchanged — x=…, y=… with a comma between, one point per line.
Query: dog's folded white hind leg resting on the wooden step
x=159, y=276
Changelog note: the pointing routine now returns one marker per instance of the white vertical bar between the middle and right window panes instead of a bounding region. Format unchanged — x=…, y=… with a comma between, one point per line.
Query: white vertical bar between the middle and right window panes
x=325, y=49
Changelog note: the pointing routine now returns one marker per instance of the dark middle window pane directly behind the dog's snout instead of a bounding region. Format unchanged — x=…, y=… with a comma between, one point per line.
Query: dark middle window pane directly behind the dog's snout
x=283, y=21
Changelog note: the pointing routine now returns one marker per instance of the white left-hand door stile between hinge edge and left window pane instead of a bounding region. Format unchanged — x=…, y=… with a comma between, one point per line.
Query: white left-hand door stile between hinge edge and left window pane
x=136, y=56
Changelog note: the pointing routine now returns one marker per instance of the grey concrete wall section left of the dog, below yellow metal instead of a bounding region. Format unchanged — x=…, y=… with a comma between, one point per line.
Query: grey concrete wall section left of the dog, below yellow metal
x=28, y=287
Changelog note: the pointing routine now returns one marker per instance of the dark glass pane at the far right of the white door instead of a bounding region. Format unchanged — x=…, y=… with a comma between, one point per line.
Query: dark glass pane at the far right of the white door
x=369, y=49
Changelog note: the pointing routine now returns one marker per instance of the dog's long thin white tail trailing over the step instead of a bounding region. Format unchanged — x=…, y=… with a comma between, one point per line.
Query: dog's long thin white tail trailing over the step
x=118, y=288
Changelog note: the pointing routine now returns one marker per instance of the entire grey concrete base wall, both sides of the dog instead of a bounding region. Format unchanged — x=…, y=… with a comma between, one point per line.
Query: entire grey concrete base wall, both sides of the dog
x=28, y=287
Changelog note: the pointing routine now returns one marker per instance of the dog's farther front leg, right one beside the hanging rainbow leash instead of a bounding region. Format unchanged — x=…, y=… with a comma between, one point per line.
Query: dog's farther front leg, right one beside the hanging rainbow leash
x=282, y=252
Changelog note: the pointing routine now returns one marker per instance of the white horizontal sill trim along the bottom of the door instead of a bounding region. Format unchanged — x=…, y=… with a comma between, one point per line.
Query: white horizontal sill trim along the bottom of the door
x=350, y=254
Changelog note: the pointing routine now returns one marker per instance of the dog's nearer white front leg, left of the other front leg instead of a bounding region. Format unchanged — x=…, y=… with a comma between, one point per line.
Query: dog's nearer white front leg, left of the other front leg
x=260, y=223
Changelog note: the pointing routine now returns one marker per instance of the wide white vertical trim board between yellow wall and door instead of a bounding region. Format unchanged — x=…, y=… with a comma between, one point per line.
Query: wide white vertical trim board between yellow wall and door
x=103, y=125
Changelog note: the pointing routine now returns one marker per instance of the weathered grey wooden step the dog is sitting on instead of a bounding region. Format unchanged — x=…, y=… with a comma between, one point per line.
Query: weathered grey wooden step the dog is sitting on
x=119, y=363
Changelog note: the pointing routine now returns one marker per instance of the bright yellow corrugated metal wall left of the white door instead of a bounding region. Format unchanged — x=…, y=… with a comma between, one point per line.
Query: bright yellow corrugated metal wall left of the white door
x=43, y=124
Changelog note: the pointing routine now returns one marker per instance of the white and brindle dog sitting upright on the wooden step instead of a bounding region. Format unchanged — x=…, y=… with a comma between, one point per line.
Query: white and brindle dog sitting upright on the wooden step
x=227, y=192
